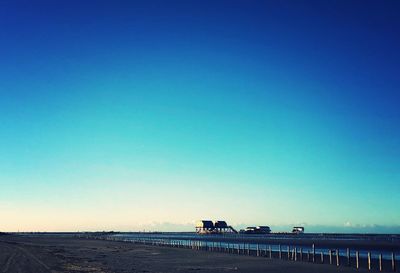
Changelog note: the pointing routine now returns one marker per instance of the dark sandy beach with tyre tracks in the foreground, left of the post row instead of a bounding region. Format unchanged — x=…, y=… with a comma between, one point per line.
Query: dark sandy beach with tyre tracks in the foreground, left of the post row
x=28, y=254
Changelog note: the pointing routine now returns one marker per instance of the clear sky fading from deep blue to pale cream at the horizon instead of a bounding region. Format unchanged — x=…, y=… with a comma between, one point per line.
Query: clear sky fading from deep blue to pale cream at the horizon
x=136, y=114
